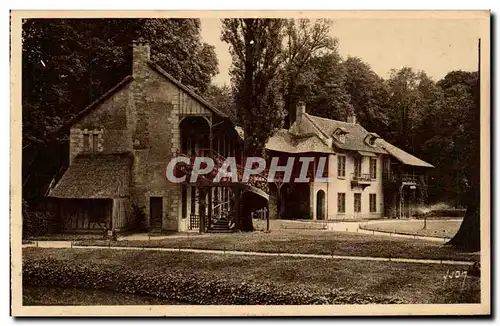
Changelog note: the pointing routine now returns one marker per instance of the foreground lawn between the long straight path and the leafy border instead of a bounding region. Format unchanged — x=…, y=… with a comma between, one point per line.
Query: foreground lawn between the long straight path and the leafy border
x=411, y=283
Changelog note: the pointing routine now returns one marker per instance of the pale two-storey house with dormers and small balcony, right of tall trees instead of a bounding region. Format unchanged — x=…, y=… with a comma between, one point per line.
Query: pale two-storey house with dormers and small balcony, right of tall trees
x=366, y=177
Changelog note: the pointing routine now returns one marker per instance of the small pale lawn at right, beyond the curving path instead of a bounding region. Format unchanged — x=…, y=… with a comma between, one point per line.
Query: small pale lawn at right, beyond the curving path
x=434, y=228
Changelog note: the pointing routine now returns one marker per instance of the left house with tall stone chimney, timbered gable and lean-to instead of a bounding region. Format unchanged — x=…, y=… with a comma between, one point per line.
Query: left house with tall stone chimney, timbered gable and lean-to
x=120, y=146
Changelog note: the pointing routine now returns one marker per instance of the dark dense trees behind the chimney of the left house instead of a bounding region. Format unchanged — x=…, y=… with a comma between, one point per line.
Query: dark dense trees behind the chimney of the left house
x=67, y=63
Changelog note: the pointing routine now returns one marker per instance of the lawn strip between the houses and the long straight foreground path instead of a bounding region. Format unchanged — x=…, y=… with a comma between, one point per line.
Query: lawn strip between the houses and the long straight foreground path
x=307, y=241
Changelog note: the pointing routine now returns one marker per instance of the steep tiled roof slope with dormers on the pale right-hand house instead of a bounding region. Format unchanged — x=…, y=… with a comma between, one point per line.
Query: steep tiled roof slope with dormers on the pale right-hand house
x=354, y=139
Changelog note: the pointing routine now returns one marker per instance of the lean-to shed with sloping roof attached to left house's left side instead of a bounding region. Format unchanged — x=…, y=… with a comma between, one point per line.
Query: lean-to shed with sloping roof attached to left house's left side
x=93, y=194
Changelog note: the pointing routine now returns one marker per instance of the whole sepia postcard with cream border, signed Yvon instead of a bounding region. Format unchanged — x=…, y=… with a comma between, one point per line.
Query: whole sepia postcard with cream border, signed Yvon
x=211, y=163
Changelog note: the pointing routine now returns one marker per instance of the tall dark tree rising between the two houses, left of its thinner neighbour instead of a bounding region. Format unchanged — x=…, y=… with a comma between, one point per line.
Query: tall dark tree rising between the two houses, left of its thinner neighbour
x=256, y=50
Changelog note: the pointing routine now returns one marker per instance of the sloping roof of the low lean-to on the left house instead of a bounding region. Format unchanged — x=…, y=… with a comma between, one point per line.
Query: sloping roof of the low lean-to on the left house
x=96, y=176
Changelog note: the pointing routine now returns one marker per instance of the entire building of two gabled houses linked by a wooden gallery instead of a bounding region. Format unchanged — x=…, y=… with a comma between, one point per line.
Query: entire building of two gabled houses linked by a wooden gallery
x=121, y=144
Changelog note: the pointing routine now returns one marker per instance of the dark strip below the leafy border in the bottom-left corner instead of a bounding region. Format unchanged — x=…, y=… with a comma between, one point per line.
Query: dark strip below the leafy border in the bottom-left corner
x=49, y=296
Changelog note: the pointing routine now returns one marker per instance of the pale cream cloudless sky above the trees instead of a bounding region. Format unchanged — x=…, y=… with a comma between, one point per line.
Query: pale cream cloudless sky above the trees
x=436, y=46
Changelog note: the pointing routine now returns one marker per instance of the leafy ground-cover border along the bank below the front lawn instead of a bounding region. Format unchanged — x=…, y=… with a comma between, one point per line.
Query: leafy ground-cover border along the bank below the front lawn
x=180, y=286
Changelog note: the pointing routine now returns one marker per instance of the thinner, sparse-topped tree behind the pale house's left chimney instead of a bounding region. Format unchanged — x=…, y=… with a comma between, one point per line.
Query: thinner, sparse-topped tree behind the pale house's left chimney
x=303, y=40
